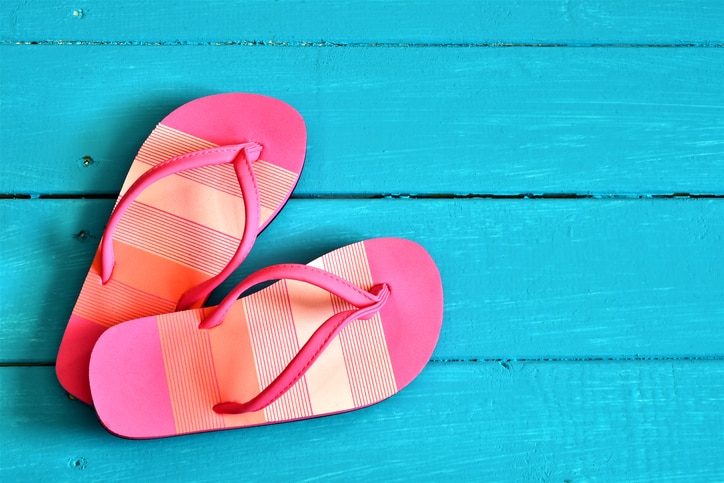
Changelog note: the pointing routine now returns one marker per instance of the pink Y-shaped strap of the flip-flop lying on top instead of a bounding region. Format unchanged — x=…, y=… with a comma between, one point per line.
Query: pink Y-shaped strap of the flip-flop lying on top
x=367, y=303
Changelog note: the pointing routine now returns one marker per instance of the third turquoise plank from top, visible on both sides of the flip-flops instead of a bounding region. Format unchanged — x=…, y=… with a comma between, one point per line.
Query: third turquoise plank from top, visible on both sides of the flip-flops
x=523, y=278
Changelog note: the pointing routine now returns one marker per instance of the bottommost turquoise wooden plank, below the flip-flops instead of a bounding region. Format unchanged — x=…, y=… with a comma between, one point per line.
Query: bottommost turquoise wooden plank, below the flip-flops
x=585, y=421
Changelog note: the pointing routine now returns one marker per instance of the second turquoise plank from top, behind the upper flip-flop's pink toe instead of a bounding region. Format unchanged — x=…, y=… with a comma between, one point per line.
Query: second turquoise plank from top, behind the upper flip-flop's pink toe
x=385, y=120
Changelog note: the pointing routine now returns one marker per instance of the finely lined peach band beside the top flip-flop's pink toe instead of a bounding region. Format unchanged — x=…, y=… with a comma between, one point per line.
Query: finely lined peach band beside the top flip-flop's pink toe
x=363, y=341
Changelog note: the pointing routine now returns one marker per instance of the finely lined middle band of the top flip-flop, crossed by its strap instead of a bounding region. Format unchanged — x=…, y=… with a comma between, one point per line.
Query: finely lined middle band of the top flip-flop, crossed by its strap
x=275, y=343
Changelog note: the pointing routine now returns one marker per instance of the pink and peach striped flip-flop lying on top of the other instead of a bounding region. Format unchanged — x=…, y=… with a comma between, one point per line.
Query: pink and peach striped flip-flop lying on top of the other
x=348, y=330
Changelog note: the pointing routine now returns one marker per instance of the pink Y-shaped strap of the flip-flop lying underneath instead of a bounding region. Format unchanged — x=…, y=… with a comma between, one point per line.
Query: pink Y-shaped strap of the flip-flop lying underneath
x=241, y=156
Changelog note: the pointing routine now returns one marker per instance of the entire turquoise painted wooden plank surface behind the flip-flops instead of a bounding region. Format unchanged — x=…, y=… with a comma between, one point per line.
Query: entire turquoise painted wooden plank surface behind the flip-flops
x=562, y=160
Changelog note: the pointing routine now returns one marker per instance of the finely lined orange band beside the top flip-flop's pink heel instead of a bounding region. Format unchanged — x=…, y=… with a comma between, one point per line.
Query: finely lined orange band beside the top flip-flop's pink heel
x=190, y=372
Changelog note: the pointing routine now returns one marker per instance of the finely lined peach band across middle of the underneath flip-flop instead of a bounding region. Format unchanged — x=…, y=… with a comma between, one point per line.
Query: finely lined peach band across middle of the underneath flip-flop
x=176, y=238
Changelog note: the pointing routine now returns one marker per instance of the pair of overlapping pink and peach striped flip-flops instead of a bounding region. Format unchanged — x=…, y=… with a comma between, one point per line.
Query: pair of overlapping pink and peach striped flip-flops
x=347, y=330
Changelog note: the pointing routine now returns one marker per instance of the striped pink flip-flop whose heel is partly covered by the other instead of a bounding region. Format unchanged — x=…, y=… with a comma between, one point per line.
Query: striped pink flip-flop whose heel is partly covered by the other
x=208, y=179
